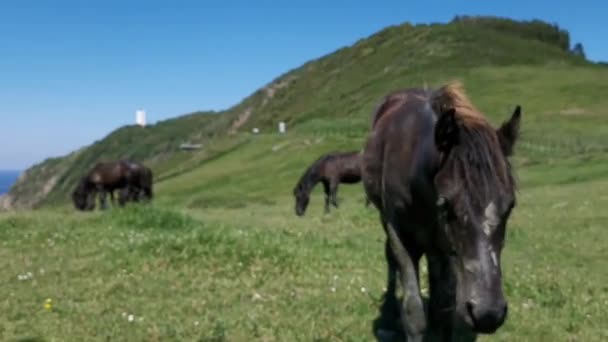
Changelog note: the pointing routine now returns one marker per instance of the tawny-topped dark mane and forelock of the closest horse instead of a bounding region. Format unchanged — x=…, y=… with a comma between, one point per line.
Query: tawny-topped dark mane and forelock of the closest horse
x=477, y=157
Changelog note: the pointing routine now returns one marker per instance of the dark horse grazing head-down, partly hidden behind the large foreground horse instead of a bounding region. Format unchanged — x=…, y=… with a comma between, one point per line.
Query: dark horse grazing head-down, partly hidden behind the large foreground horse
x=330, y=169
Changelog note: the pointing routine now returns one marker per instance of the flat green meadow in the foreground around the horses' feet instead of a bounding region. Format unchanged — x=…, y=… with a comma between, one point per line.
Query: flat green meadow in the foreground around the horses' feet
x=220, y=255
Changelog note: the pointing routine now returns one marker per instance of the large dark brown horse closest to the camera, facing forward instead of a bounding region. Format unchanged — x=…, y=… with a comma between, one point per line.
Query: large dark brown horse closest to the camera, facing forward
x=438, y=173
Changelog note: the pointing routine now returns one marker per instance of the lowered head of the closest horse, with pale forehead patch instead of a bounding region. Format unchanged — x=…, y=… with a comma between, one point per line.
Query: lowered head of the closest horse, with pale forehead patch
x=476, y=194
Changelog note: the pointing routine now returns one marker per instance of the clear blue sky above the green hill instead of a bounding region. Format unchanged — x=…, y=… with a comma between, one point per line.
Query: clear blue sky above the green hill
x=73, y=71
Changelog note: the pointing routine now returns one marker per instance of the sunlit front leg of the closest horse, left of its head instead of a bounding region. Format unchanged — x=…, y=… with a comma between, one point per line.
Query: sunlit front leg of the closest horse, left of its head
x=413, y=316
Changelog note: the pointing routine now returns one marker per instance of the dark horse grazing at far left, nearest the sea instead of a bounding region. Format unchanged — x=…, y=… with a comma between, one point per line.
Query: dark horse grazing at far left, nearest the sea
x=131, y=178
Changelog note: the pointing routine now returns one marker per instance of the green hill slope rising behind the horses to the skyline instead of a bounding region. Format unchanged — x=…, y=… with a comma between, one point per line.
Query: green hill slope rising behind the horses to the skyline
x=502, y=63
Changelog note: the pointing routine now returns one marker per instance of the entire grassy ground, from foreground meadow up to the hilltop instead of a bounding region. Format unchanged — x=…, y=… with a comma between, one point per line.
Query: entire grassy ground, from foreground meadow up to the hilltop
x=220, y=255
